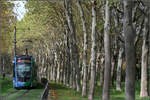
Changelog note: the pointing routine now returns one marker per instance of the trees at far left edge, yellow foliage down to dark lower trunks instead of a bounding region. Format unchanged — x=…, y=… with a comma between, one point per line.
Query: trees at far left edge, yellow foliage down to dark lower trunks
x=7, y=19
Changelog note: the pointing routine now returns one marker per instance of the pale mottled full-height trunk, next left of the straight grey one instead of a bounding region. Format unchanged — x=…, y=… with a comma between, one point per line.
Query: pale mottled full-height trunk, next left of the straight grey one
x=93, y=52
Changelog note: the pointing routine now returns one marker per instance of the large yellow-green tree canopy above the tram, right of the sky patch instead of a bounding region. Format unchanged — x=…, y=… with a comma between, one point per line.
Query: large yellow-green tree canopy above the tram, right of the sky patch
x=42, y=24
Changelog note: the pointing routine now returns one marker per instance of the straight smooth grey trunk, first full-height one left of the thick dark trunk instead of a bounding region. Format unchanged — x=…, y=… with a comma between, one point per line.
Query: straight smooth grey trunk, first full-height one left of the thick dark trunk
x=107, y=71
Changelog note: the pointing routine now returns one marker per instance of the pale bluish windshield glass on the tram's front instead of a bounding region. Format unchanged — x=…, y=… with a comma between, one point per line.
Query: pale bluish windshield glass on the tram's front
x=23, y=70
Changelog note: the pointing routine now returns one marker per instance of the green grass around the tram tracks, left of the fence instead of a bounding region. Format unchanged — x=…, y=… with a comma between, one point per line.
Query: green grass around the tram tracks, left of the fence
x=6, y=87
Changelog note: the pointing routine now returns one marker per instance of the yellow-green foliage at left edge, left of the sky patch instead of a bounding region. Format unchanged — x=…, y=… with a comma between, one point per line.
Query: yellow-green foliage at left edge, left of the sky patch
x=7, y=19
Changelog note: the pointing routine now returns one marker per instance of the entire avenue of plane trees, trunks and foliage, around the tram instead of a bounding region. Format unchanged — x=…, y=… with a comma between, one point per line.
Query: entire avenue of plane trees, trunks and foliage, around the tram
x=83, y=43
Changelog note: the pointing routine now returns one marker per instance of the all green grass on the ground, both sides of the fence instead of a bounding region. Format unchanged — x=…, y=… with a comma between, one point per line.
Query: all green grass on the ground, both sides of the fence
x=62, y=92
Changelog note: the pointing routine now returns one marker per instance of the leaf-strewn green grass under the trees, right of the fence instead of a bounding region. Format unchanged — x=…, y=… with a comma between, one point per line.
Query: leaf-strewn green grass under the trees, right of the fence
x=64, y=93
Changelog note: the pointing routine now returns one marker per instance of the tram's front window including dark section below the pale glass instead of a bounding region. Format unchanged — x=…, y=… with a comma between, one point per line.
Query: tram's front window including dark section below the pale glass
x=23, y=72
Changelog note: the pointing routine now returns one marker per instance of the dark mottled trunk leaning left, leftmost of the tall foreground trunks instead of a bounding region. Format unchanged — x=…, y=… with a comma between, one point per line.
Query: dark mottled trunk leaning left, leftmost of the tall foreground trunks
x=74, y=47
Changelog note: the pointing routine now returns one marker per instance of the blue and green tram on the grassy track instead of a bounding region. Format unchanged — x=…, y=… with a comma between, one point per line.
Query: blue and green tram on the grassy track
x=24, y=71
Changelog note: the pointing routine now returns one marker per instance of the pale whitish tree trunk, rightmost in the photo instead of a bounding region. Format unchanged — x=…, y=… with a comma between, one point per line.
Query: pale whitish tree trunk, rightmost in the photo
x=144, y=63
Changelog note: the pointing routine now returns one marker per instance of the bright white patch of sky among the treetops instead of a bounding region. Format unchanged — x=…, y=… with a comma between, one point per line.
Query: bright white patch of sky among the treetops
x=19, y=9
